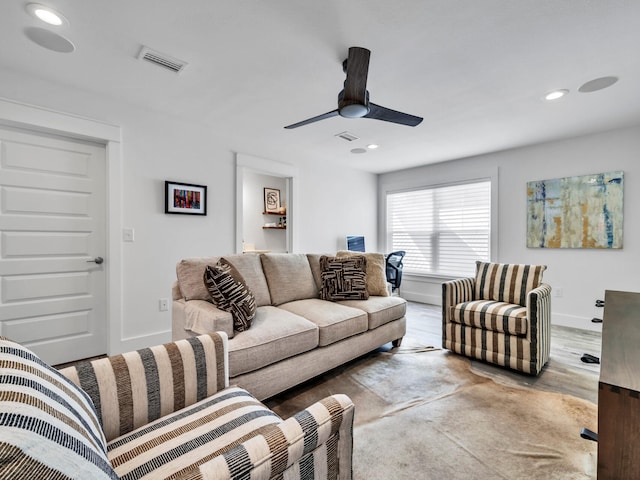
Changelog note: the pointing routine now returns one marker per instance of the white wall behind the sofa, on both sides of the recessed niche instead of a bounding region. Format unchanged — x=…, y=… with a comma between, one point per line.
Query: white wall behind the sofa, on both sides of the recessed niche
x=157, y=147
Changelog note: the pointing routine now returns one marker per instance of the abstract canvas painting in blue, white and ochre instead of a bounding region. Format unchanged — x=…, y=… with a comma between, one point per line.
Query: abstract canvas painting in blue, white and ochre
x=576, y=212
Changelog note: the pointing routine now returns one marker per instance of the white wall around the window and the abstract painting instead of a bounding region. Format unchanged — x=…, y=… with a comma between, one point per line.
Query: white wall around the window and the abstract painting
x=583, y=275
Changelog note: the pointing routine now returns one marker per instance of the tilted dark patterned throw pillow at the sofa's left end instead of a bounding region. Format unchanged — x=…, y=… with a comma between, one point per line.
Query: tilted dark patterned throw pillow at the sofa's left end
x=230, y=293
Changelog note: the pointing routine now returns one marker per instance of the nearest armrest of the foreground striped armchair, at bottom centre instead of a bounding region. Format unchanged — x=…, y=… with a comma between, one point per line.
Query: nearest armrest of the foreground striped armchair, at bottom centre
x=321, y=435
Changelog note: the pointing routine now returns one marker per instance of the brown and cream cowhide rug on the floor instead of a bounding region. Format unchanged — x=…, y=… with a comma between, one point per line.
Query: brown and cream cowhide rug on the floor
x=426, y=415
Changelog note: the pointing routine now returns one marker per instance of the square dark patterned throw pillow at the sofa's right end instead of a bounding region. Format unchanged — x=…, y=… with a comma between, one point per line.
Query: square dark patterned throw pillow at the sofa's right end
x=343, y=278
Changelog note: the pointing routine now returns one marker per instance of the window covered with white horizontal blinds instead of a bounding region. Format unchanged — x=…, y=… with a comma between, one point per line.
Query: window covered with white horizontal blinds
x=443, y=229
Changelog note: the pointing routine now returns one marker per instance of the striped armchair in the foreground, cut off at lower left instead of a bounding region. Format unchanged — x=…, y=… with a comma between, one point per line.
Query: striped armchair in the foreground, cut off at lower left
x=160, y=412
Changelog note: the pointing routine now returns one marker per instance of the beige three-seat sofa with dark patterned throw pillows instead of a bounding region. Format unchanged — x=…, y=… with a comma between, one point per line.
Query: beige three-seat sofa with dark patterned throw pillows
x=295, y=335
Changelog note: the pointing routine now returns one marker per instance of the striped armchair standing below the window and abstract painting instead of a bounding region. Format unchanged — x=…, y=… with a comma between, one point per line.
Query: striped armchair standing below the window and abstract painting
x=500, y=316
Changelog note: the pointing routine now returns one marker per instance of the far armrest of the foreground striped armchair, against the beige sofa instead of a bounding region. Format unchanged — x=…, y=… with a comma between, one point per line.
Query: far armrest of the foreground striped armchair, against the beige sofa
x=135, y=388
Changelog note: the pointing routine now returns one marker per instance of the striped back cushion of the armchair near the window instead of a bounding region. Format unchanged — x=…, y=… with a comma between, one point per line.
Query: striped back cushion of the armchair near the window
x=506, y=282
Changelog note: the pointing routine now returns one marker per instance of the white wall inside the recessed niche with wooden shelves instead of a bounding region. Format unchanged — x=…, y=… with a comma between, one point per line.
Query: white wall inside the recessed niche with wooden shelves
x=253, y=206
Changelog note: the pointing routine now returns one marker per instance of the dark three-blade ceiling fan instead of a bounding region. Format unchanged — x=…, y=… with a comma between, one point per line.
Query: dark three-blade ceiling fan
x=353, y=100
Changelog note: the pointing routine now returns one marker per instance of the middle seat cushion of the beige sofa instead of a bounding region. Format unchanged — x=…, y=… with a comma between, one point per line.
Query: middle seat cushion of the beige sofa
x=335, y=322
